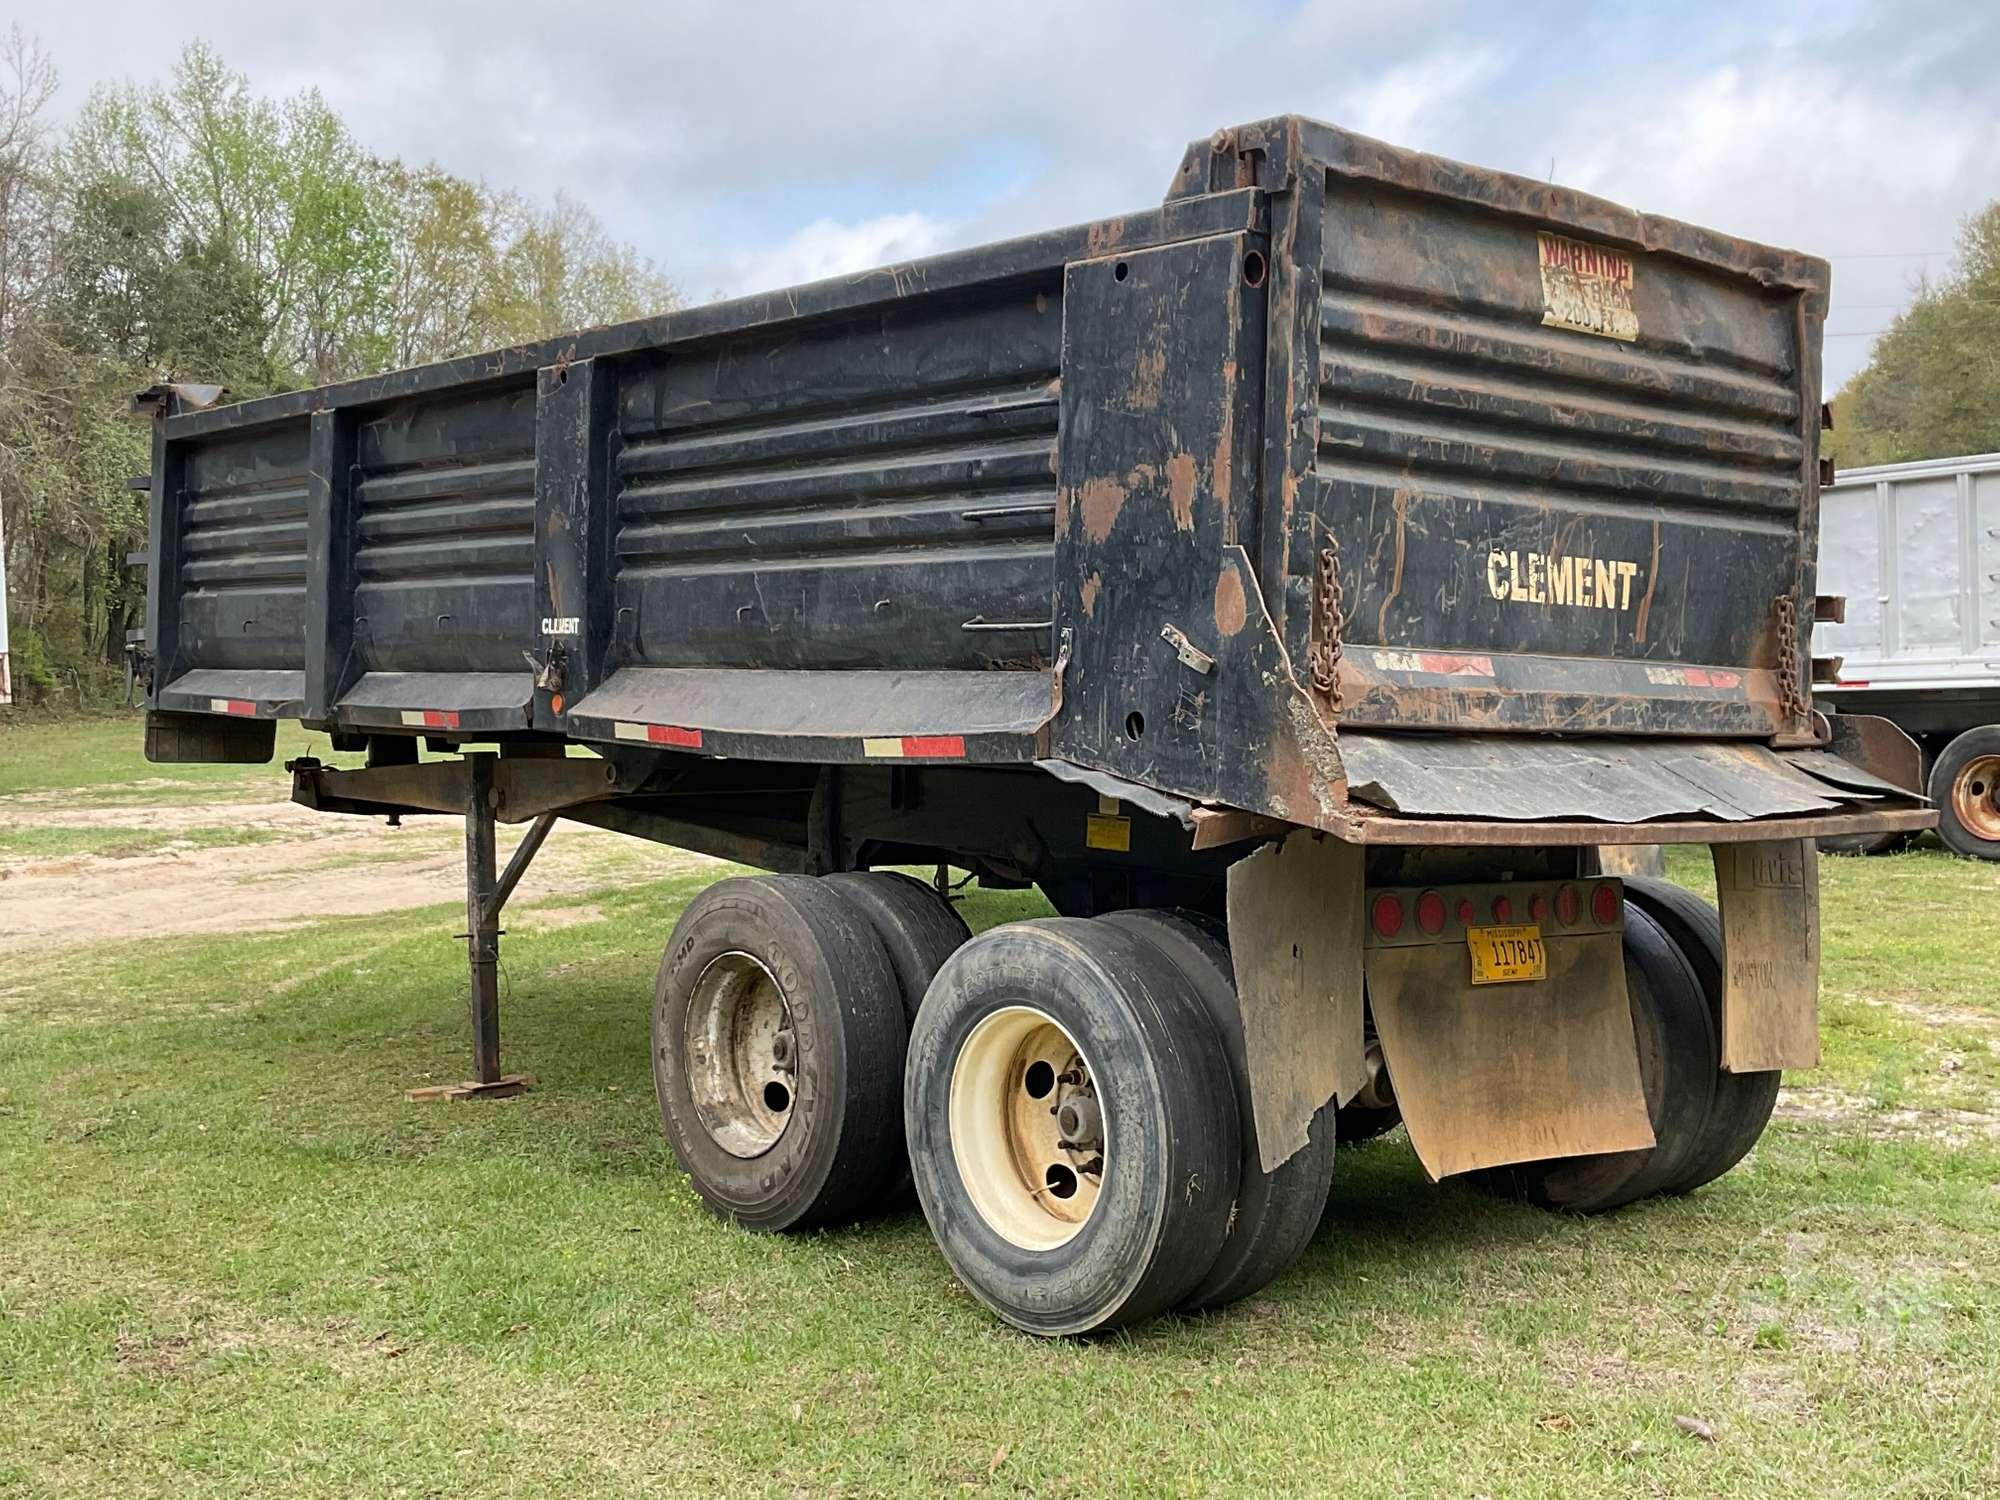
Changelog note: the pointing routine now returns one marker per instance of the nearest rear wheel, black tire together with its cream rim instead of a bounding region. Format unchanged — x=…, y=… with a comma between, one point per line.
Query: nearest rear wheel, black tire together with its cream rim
x=1073, y=1127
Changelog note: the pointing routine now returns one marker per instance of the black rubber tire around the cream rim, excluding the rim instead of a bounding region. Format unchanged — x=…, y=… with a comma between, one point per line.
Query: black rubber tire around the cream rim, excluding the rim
x=1169, y=1119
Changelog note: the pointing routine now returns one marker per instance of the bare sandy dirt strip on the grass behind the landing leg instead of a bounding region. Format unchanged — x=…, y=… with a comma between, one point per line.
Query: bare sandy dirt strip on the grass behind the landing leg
x=319, y=867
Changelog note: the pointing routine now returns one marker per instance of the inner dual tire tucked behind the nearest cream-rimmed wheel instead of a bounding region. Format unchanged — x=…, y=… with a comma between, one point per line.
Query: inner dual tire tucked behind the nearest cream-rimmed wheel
x=1275, y=1213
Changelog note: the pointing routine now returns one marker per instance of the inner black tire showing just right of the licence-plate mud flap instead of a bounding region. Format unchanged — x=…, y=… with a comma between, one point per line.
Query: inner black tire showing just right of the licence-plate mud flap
x=1677, y=1061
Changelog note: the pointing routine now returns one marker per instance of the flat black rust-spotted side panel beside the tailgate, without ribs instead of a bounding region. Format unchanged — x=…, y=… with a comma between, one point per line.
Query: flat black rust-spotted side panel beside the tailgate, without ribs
x=1157, y=485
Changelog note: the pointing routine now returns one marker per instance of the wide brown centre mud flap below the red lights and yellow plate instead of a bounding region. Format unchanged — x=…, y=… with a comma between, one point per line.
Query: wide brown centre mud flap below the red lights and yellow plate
x=1509, y=1073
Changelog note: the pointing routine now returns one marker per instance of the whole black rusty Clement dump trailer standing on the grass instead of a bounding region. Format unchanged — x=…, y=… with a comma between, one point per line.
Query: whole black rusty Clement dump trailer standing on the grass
x=1299, y=583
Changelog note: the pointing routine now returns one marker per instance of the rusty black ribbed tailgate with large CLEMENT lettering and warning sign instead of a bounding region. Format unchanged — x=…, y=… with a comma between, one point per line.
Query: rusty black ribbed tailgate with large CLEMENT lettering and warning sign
x=1485, y=461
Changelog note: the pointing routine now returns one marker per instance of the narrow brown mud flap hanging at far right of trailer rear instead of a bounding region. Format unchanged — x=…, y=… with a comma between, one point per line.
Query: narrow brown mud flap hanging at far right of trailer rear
x=1771, y=955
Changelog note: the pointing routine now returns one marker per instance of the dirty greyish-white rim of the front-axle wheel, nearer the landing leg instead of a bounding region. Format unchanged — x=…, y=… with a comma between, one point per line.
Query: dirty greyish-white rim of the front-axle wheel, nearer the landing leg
x=741, y=1055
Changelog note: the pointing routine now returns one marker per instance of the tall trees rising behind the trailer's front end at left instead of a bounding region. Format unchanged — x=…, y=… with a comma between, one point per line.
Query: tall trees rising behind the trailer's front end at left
x=197, y=231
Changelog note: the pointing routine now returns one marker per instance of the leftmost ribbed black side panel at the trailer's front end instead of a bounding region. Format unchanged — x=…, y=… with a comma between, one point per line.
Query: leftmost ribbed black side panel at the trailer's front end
x=243, y=571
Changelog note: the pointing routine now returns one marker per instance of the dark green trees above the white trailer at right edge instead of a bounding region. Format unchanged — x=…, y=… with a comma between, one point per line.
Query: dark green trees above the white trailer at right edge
x=1933, y=387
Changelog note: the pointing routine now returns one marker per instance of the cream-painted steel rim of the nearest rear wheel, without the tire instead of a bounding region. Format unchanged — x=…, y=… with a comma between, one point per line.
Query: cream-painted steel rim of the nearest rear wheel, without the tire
x=1027, y=1127
